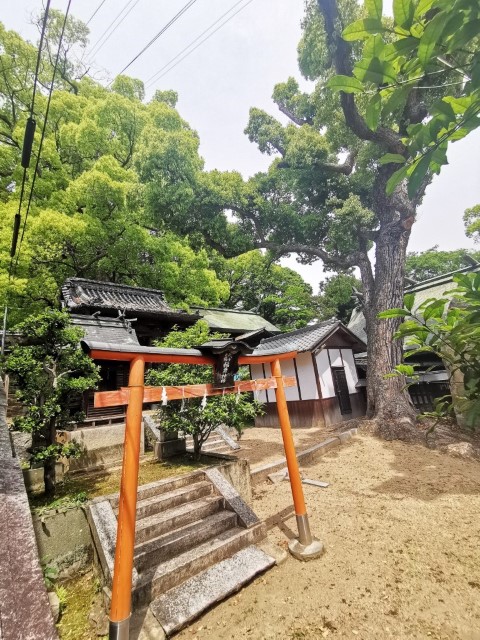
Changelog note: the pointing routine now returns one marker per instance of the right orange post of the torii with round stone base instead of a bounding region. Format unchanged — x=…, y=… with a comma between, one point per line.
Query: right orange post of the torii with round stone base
x=306, y=547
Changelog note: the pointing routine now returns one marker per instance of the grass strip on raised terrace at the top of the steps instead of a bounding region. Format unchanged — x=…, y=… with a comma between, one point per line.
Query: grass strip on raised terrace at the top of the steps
x=77, y=489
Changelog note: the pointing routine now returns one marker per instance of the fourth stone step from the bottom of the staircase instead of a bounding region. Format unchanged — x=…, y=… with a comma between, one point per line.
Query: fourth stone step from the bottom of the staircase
x=165, y=521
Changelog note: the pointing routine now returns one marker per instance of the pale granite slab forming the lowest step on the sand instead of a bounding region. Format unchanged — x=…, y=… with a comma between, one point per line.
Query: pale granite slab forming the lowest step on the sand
x=184, y=603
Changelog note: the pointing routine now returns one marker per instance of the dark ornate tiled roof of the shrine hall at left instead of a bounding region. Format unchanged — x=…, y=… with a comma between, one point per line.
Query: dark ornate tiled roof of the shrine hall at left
x=79, y=293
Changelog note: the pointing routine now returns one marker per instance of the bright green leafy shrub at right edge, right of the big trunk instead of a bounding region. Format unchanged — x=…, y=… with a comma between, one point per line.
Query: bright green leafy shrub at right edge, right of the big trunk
x=450, y=329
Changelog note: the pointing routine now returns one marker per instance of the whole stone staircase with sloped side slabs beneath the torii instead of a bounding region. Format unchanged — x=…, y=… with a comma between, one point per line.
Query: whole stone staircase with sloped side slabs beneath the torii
x=194, y=545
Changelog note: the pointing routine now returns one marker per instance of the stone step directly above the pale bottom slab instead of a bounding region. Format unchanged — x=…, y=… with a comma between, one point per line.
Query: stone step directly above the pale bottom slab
x=173, y=572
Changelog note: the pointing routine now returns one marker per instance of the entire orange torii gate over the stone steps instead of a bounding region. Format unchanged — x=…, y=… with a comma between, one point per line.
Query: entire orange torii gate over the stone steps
x=305, y=547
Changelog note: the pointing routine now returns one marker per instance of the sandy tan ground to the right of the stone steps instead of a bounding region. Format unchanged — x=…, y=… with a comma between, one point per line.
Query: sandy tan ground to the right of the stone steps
x=401, y=525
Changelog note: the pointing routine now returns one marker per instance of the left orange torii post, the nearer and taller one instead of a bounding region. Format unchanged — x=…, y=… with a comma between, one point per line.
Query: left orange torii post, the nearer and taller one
x=120, y=609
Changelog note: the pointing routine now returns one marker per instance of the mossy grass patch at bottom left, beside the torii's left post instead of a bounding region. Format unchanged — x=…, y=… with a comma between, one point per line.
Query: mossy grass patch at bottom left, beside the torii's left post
x=79, y=596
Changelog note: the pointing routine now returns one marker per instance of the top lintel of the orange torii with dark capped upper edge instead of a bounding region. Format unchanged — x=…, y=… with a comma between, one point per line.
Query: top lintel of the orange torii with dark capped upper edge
x=127, y=353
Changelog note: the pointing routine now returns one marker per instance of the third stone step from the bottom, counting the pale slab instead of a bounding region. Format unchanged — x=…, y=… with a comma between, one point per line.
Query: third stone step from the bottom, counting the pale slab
x=164, y=547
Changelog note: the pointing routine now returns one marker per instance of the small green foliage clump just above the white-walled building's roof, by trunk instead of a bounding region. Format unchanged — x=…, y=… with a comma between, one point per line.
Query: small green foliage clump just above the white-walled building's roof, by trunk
x=336, y=299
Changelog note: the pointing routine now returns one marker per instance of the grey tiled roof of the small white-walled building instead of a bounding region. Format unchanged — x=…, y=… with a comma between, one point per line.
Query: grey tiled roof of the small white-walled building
x=306, y=339
